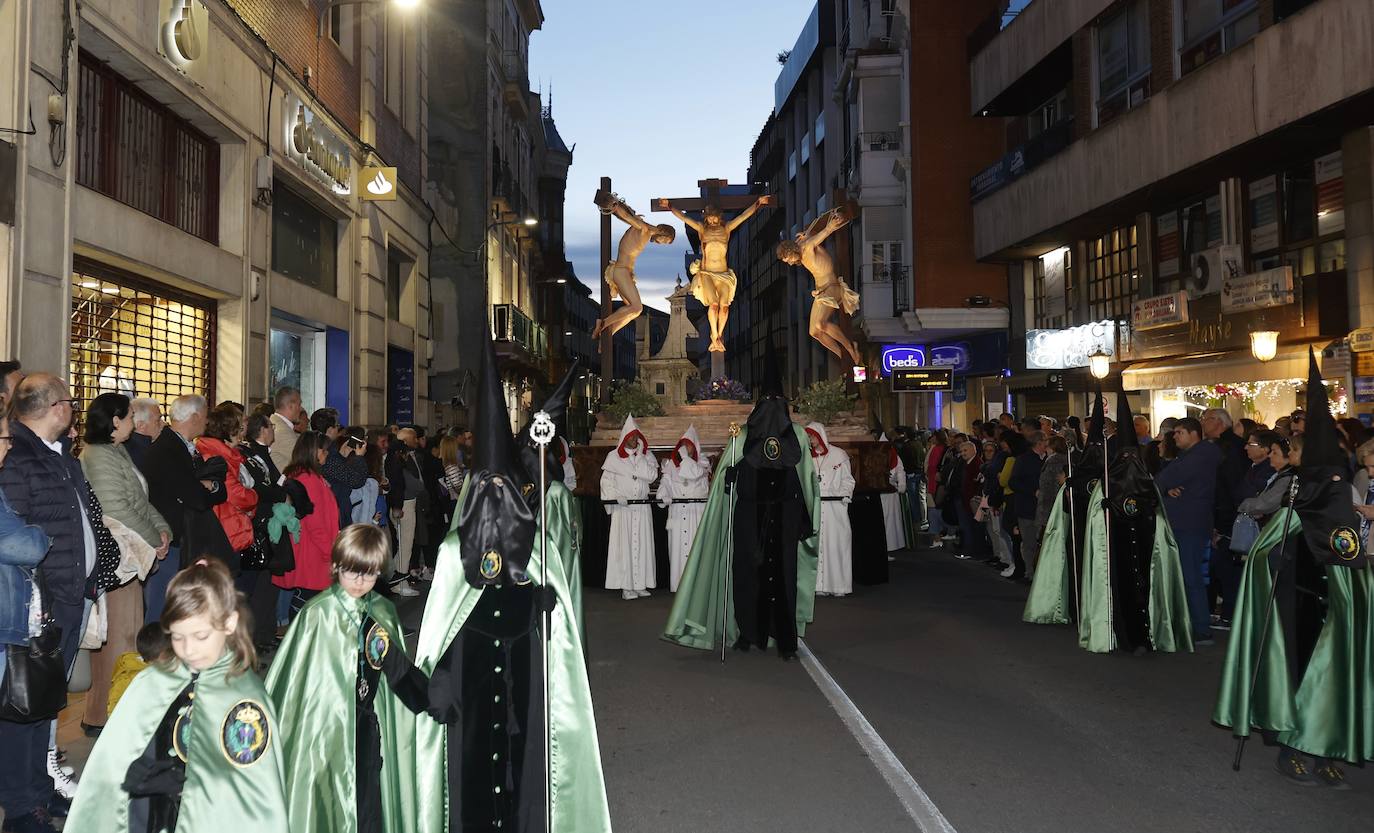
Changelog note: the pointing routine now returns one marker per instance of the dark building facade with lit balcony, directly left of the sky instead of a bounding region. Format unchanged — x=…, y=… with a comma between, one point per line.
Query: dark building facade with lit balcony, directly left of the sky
x=486, y=166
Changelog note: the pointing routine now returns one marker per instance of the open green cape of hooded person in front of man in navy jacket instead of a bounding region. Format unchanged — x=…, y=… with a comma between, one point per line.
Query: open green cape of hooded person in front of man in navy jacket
x=1170, y=625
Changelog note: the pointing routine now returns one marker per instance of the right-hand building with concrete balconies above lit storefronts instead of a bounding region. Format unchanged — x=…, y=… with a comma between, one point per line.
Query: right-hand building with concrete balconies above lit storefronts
x=1181, y=181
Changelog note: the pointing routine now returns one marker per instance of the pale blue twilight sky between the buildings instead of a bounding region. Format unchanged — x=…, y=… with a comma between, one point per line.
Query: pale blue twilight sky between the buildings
x=626, y=90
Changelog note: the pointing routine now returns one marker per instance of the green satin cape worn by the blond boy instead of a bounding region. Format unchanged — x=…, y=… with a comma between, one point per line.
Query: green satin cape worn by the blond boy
x=314, y=684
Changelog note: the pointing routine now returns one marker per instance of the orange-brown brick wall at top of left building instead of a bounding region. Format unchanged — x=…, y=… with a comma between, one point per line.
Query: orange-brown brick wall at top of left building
x=291, y=28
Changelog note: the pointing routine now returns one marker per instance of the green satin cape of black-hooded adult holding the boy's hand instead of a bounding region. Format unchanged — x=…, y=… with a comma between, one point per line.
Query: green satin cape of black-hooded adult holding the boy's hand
x=579, y=784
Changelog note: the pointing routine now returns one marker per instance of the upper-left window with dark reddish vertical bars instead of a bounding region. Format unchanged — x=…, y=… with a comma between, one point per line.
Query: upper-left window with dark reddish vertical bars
x=139, y=153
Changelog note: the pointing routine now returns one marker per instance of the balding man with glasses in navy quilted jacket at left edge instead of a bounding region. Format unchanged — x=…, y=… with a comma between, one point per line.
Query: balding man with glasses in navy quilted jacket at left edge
x=45, y=486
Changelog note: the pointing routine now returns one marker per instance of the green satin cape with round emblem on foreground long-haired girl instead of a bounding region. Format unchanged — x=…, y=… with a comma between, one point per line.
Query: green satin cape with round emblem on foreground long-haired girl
x=219, y=797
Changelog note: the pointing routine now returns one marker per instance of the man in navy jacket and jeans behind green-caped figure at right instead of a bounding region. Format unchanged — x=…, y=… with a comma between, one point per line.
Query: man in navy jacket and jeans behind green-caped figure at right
x=1189, y=487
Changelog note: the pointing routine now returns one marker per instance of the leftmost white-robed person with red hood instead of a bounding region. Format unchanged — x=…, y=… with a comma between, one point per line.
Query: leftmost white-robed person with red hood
x=627, y=475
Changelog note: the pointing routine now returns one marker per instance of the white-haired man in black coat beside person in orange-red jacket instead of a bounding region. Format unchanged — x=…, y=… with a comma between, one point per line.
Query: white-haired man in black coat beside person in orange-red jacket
x=183, y=493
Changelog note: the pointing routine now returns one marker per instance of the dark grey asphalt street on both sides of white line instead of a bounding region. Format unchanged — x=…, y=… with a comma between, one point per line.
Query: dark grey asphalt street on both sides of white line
x=1009, y=728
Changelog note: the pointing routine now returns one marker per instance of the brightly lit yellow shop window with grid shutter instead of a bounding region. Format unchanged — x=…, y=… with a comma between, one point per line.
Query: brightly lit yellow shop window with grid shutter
x=138, y=339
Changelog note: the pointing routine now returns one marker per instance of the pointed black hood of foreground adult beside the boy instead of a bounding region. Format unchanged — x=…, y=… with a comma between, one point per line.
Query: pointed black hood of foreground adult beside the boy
x=497, y=524
